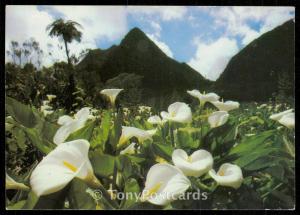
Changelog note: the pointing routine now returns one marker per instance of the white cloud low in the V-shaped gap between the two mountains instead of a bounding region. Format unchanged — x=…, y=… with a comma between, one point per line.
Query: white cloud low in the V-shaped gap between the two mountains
x=211, y=58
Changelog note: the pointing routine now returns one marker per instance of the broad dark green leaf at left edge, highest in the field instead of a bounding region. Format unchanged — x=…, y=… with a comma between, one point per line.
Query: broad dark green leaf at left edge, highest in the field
x=21, y=113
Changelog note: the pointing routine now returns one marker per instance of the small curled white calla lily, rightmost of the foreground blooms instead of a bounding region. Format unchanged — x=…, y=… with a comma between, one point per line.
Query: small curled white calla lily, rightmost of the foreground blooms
x=229, y=175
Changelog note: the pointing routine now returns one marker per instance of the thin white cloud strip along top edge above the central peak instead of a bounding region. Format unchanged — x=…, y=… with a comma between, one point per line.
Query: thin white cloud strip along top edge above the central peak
x=166, y=13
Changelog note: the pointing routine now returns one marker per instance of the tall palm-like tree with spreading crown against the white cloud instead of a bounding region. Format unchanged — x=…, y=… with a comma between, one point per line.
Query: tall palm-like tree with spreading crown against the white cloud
x=67, y=31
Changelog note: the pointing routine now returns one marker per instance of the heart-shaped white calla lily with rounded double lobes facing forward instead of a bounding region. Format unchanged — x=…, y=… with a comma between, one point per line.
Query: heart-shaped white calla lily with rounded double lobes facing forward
x=197, y=164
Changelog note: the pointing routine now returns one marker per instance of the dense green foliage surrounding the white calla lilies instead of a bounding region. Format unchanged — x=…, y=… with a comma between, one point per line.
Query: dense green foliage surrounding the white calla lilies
x=261, y=147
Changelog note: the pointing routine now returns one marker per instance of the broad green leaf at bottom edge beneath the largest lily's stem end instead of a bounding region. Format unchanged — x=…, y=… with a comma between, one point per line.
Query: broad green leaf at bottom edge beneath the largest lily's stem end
x=78, y=197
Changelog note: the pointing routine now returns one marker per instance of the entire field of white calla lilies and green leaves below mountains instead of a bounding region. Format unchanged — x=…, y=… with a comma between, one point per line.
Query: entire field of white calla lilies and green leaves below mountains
x=214, y=155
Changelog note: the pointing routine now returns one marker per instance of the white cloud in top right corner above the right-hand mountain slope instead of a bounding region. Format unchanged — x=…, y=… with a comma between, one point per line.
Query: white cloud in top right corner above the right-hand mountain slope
x=236, y=19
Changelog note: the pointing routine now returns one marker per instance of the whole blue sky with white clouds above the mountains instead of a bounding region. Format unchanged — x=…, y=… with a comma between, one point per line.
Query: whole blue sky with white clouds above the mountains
x=204, y=37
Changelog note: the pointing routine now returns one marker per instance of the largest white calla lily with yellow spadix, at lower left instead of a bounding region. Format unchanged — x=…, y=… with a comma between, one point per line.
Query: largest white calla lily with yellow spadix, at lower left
x=67, y=161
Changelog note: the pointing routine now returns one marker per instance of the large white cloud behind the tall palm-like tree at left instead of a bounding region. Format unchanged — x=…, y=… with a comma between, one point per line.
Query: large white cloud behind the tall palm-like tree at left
x=98, y=22
